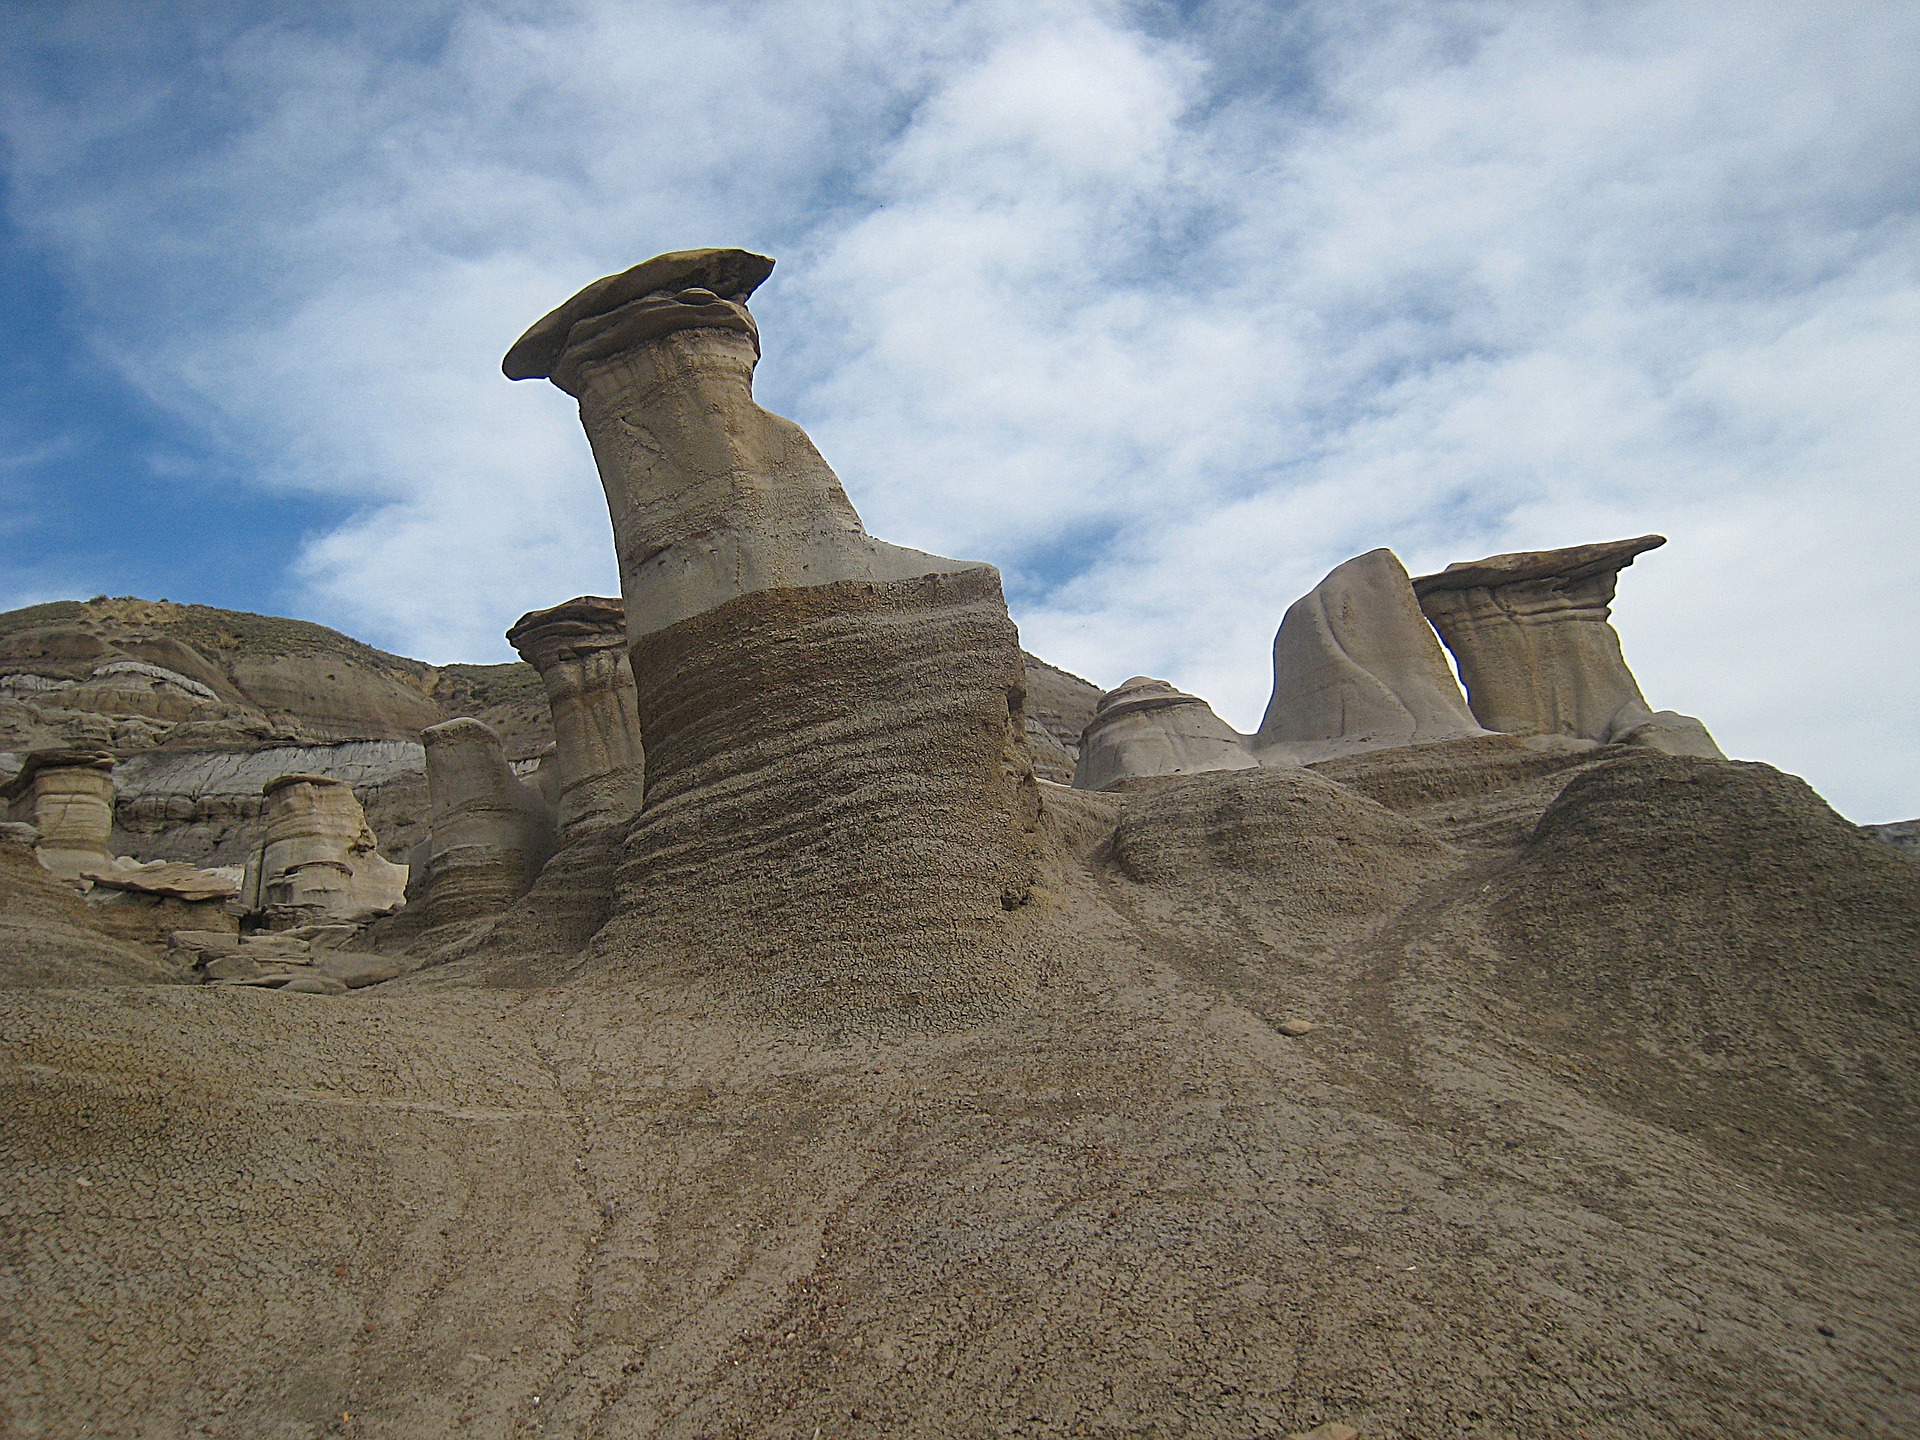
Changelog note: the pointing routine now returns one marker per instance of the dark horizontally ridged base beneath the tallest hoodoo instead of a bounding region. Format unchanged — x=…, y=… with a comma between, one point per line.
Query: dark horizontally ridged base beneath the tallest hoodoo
x=840, y=800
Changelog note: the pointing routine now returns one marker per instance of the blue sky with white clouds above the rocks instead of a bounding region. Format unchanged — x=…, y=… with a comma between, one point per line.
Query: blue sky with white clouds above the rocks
x=1163, y=308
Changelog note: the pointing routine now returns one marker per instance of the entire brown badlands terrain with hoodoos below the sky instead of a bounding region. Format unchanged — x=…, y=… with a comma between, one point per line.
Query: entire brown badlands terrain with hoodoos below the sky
x=779, y=1007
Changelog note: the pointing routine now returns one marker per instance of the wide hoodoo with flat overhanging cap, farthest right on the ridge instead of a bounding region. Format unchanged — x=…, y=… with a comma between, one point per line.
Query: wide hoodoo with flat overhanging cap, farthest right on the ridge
x=1537, y=650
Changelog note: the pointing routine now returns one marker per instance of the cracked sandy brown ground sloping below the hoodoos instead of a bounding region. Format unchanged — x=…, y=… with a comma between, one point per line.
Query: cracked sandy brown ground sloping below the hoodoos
x=1606, y=1126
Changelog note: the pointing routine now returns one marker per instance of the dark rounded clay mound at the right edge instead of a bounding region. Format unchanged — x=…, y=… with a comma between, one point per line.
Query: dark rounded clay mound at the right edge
x=1748, y=957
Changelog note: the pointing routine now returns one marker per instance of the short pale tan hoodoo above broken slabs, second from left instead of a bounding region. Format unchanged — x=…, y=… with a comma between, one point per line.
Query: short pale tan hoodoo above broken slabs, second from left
x=318, y=857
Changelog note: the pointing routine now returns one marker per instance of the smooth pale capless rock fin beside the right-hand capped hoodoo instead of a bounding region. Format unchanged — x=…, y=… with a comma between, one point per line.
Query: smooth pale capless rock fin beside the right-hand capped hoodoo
x=1356, y=667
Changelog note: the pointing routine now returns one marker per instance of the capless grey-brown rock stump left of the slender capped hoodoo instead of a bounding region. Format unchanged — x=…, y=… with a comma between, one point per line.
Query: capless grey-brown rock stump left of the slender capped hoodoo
x=491, y=832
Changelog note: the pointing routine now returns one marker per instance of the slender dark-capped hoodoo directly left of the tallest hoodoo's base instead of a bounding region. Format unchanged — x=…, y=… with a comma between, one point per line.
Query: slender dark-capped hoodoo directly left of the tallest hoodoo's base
x=598, y=761
